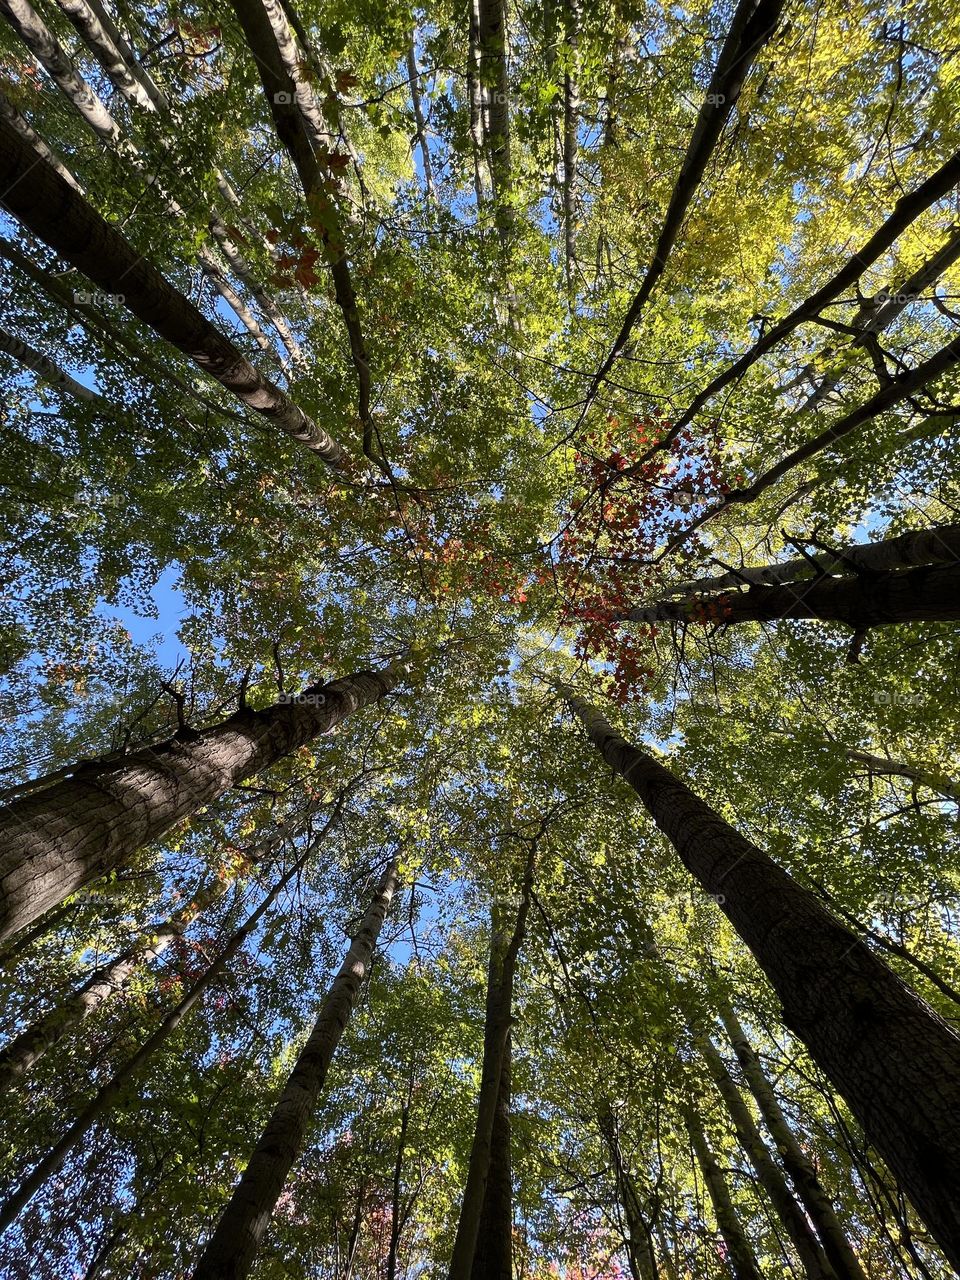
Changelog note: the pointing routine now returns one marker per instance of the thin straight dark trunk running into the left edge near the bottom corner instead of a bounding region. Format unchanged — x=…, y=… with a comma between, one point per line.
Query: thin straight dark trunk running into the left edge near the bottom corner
x=115, y=1087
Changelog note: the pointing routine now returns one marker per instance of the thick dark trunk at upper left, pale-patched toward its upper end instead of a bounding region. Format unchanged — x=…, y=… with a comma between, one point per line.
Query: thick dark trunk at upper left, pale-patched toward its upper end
x=48, y=207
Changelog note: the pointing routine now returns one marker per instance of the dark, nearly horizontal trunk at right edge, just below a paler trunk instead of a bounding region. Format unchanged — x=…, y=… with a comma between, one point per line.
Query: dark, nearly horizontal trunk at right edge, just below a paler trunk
x=927, y=595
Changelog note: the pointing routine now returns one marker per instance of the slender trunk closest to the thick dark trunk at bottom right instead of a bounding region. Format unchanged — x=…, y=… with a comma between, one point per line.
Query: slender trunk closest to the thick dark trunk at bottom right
x=803, y=1174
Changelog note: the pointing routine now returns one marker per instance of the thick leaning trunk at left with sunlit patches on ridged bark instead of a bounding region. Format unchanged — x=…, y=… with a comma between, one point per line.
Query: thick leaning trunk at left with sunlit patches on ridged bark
x=57, y=840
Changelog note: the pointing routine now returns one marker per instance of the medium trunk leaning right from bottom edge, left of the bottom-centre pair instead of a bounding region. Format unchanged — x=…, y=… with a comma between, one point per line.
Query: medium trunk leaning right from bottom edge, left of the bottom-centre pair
x=231, y=1251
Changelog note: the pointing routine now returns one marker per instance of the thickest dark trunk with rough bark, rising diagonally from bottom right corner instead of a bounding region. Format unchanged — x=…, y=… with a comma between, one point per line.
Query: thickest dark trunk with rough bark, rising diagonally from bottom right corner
x=893, y=1059
